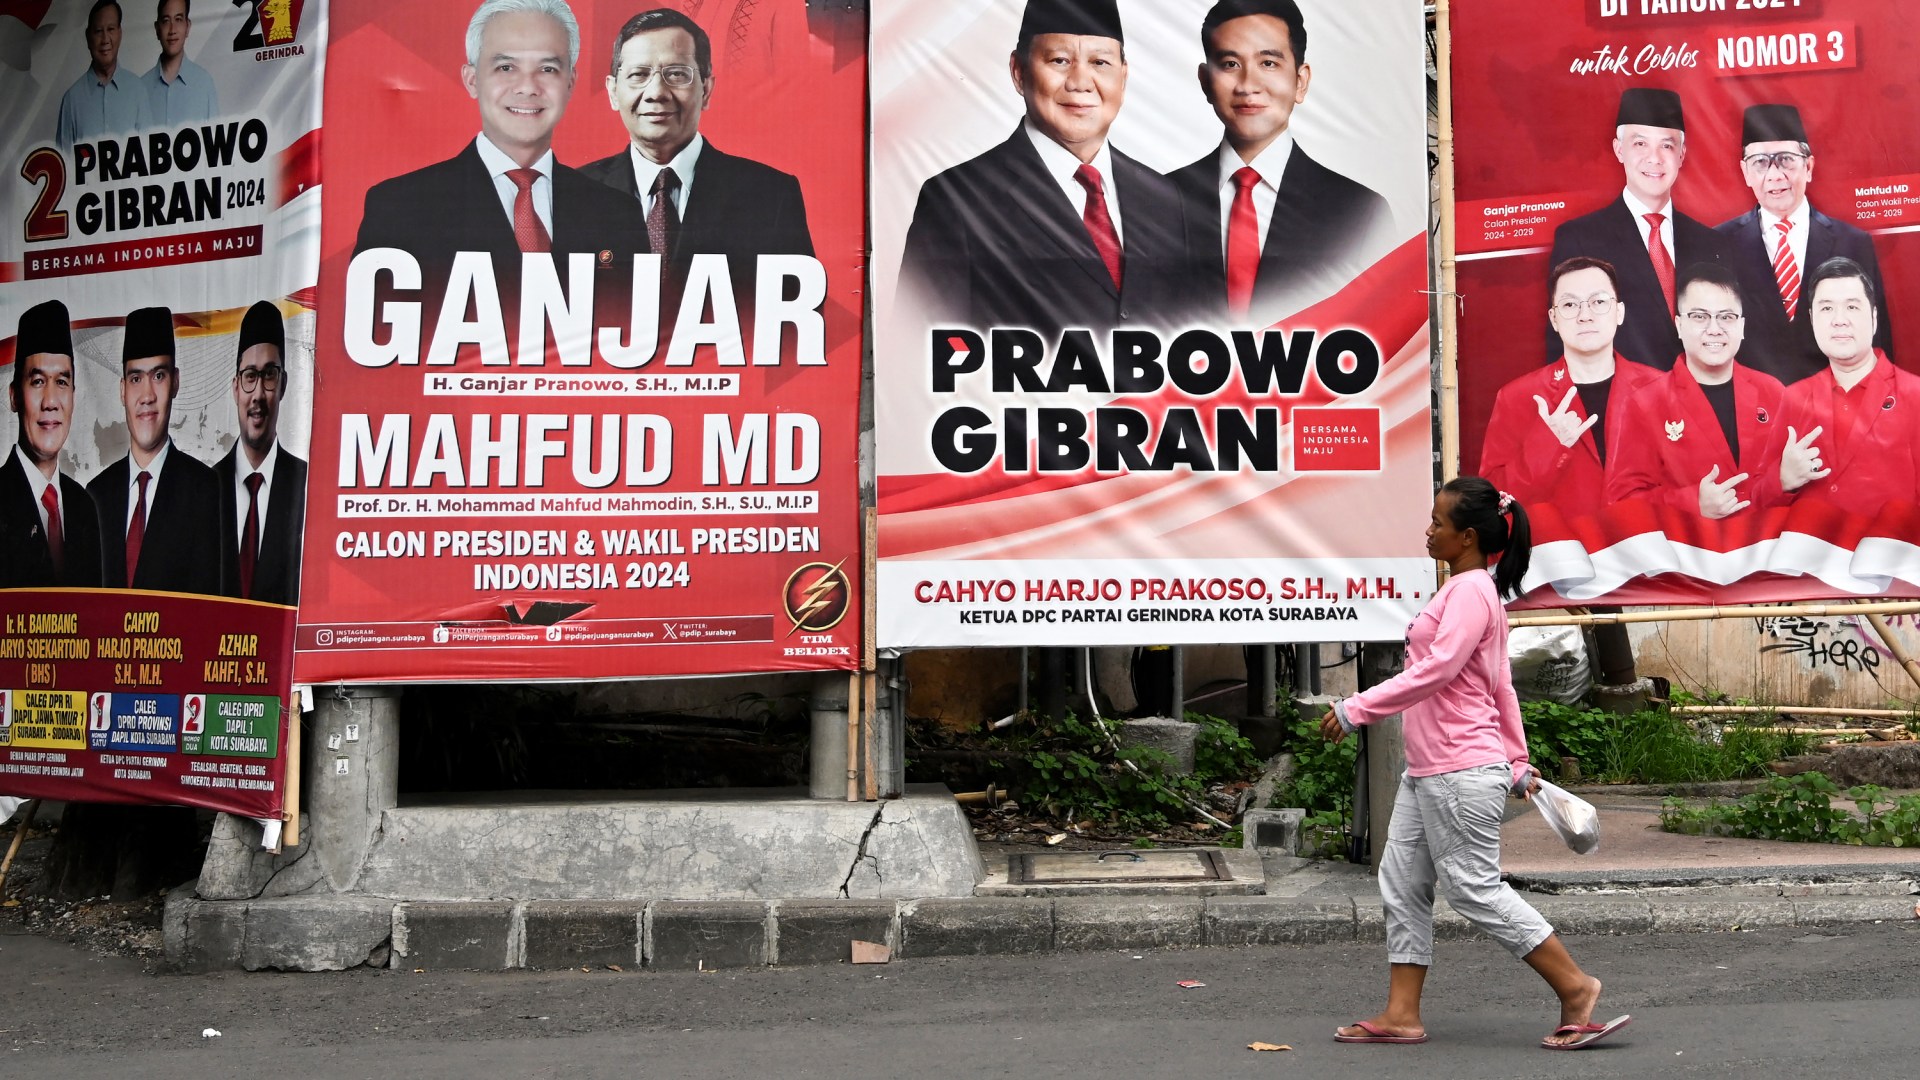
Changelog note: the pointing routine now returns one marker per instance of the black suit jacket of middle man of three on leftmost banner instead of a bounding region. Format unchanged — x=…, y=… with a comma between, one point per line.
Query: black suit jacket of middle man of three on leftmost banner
x=181, y=549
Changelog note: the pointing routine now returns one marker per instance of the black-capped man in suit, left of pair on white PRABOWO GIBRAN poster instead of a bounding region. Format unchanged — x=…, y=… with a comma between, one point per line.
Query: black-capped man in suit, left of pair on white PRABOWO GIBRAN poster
x=1053, y=228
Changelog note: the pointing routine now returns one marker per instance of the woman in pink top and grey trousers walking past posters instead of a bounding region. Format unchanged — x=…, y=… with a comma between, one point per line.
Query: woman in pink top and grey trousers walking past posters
x=1466, y=750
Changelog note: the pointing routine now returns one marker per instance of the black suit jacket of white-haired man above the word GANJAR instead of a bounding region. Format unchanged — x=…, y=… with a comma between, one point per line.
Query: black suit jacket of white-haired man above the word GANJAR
x=452, y=207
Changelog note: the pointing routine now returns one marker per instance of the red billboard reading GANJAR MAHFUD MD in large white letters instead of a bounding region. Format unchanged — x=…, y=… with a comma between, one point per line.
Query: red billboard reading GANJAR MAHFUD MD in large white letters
x=590, y=366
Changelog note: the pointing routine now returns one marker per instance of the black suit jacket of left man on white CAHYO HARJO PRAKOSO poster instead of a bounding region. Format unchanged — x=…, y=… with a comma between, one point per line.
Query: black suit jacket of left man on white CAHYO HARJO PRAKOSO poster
x=996, y=243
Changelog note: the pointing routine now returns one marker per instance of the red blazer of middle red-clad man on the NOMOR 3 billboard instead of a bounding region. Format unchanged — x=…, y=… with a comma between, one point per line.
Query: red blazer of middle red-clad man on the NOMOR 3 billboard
x=1671, y=441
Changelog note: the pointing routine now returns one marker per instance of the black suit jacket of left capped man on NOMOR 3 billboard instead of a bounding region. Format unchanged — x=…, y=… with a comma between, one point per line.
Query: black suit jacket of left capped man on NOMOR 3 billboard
x=1610, y=233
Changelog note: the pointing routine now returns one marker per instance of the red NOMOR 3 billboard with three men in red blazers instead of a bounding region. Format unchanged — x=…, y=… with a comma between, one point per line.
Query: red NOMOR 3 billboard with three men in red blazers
x=1721, y=412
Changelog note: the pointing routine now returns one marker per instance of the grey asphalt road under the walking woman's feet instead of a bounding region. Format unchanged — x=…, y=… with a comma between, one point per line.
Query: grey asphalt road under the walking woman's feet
x=1840, y=1002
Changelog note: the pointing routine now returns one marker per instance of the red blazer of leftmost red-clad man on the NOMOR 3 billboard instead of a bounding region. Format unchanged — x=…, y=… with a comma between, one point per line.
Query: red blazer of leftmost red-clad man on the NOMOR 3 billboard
x=1522, y=454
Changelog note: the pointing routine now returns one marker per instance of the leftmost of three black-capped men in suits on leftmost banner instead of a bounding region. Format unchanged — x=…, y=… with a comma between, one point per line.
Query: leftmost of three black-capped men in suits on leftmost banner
x=49, y=531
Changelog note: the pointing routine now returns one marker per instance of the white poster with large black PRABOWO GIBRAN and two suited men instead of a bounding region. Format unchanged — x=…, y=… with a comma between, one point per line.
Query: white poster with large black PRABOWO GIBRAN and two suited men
x=1149, y=295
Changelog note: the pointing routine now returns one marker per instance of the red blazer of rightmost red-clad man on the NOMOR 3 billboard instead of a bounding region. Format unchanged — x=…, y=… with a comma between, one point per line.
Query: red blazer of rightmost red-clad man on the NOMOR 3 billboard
x=1881, y=460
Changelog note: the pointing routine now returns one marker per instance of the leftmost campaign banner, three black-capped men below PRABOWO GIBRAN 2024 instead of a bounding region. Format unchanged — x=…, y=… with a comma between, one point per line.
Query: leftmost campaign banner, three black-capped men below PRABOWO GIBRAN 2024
x=158, y=260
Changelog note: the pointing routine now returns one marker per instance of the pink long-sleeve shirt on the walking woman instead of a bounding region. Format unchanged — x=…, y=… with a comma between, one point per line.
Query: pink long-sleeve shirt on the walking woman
x=1456, y=695
